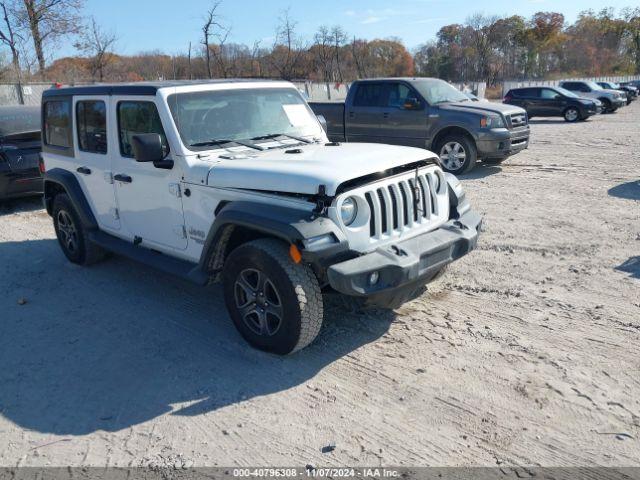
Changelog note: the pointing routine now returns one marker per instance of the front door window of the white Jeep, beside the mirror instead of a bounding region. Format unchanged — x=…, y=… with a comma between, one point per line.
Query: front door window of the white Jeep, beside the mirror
x=135, y=117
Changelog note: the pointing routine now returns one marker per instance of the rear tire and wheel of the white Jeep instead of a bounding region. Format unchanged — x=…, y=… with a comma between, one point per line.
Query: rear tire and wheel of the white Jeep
x=72, y=236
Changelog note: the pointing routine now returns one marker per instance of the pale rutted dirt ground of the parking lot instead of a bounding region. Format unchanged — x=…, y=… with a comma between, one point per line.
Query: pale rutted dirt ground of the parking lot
x=526, y=353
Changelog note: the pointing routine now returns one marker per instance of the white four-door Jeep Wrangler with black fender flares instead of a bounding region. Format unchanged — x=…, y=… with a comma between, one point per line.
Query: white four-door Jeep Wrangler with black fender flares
x=236, y=181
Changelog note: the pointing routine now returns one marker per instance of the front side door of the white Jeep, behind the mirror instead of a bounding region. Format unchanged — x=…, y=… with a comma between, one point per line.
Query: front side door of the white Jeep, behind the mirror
x=149, y=198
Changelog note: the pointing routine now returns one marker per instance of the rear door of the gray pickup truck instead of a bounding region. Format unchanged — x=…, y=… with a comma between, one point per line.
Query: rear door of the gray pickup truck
x=364, y=115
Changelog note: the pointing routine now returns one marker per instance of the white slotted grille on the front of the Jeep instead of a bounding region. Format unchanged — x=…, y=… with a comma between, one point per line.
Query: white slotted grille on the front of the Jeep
x=403, y=204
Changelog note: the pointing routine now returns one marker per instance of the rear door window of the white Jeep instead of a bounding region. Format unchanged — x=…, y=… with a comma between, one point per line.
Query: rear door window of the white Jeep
x=91, y=121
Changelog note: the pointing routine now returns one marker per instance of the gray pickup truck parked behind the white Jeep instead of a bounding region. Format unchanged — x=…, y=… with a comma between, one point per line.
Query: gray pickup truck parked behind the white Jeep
x=427, y=113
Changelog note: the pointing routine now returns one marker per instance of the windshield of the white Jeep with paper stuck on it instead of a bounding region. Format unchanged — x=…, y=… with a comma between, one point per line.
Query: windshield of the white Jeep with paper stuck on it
x=213, y=118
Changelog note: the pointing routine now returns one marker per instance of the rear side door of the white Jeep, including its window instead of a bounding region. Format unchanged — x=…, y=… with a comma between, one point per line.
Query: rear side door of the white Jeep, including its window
x=94, y=156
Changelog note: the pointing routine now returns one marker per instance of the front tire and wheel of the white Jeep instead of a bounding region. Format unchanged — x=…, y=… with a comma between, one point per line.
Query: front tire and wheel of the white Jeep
x=275, y=304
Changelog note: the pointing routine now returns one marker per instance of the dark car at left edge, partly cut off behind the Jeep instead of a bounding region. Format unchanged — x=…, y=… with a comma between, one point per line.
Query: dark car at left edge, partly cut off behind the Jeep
x=20, y=146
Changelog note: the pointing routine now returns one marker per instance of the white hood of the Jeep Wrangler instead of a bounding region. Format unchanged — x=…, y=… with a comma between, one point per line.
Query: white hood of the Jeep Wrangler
x=316, y=165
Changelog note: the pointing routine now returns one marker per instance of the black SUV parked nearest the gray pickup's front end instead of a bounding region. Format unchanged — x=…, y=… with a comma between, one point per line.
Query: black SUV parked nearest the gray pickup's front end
x=552, y=102
